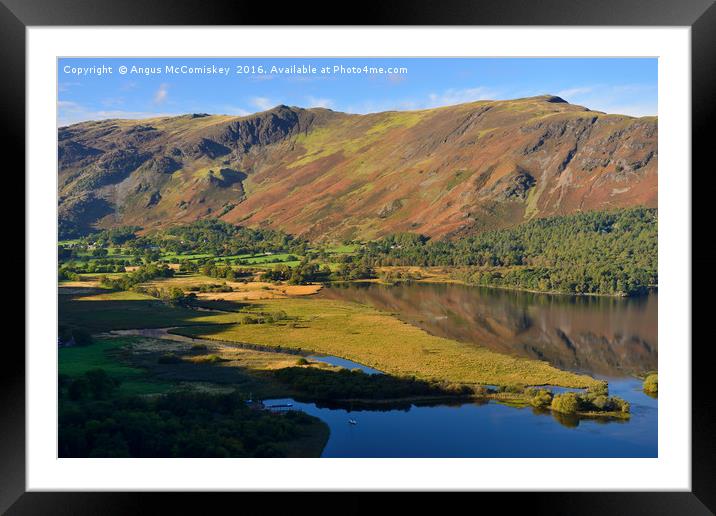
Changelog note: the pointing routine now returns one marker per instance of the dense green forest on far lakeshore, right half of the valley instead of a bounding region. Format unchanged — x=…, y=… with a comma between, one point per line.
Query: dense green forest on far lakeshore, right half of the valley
x=594, y=252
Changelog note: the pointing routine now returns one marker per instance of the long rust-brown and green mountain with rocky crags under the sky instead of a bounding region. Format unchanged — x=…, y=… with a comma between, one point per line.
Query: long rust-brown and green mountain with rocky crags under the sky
x=333, y=176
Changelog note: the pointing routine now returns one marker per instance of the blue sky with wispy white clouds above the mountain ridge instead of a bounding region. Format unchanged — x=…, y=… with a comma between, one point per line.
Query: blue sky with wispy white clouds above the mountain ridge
x=100, y=88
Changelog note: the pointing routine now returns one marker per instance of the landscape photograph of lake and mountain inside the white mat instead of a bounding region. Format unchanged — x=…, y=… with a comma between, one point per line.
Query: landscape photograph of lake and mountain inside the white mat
x=394, y=257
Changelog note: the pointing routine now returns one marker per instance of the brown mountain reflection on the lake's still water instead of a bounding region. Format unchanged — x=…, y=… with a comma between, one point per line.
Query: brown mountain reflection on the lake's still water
x=605, y=336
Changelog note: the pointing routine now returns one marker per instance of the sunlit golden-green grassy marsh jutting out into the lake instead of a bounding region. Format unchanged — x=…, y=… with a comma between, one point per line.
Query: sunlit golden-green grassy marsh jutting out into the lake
x=378, y=340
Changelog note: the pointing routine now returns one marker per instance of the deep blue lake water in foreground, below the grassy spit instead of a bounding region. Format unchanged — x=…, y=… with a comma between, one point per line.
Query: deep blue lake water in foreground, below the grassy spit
x=486, y=429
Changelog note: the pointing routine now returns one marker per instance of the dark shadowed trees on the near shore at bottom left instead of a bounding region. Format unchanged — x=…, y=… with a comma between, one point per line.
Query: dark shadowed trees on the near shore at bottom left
x=94, y=421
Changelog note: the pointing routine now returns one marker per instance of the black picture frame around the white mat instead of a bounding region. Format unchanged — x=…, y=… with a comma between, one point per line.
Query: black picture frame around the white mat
x=700, y=15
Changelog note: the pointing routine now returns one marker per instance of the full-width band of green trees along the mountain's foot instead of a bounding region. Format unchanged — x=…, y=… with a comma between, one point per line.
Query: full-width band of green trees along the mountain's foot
x=612, y=253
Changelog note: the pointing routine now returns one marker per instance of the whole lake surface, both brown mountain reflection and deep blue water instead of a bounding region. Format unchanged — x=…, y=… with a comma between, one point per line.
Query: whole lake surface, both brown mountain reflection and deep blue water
x=607, y=338
